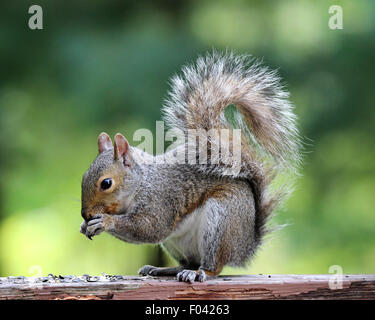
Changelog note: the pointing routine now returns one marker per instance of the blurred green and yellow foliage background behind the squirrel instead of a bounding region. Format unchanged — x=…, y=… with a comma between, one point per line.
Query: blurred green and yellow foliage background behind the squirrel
x=104, y=66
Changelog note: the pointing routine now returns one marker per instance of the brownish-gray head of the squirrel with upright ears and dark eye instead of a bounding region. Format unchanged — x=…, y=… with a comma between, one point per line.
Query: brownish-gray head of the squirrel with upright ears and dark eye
x=106, y=185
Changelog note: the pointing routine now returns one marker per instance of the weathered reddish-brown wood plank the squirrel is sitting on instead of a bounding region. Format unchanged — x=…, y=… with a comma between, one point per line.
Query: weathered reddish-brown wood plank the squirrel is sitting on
x=224, y=287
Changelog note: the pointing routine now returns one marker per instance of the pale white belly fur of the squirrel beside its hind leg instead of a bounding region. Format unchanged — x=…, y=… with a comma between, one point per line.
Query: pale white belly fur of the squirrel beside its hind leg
x=183, y=243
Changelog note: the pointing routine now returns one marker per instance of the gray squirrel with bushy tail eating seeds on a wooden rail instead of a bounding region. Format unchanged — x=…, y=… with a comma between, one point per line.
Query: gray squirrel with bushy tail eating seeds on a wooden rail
x=203, y=216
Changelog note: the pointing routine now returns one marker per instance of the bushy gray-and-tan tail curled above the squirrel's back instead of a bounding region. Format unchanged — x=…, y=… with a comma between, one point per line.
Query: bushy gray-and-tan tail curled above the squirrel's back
x=205, y=89
